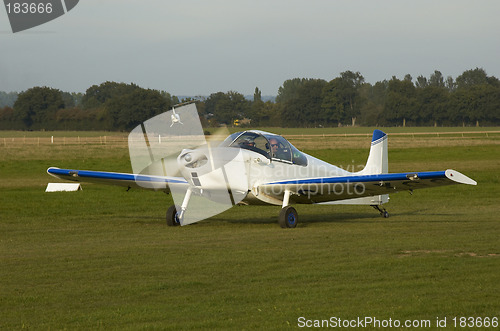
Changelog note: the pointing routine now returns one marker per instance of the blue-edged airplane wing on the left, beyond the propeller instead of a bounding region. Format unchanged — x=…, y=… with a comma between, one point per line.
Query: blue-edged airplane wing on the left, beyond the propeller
x=116, y=178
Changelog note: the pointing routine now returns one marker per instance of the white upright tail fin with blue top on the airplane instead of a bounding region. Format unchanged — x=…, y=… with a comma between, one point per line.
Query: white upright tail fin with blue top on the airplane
x=378, y=162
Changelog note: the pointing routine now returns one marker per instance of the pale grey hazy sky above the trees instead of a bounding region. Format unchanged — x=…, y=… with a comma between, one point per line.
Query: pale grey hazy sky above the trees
x=199, y=47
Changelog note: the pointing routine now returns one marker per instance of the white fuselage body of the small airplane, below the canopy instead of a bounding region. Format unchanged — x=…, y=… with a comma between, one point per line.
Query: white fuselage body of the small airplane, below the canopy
x=240, y=172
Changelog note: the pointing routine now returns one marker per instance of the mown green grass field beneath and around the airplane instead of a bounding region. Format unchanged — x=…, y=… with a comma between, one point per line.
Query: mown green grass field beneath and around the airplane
x=103, y=257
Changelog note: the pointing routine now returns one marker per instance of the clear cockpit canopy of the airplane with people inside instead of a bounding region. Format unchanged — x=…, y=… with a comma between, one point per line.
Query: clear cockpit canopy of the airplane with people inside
x=272, y=146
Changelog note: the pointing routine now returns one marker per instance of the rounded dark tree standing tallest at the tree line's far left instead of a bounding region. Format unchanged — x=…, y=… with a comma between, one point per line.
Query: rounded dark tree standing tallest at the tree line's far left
x=38, y=105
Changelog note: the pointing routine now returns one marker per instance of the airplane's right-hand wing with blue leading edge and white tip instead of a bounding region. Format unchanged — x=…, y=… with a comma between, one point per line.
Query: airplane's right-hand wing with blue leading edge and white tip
x=323, y=189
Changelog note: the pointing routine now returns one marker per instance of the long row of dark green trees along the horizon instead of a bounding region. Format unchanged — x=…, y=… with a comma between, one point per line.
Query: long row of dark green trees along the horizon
x=472, y=99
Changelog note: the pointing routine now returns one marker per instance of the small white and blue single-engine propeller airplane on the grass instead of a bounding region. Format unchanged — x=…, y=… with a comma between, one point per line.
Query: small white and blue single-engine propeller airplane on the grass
x=250, y=168
